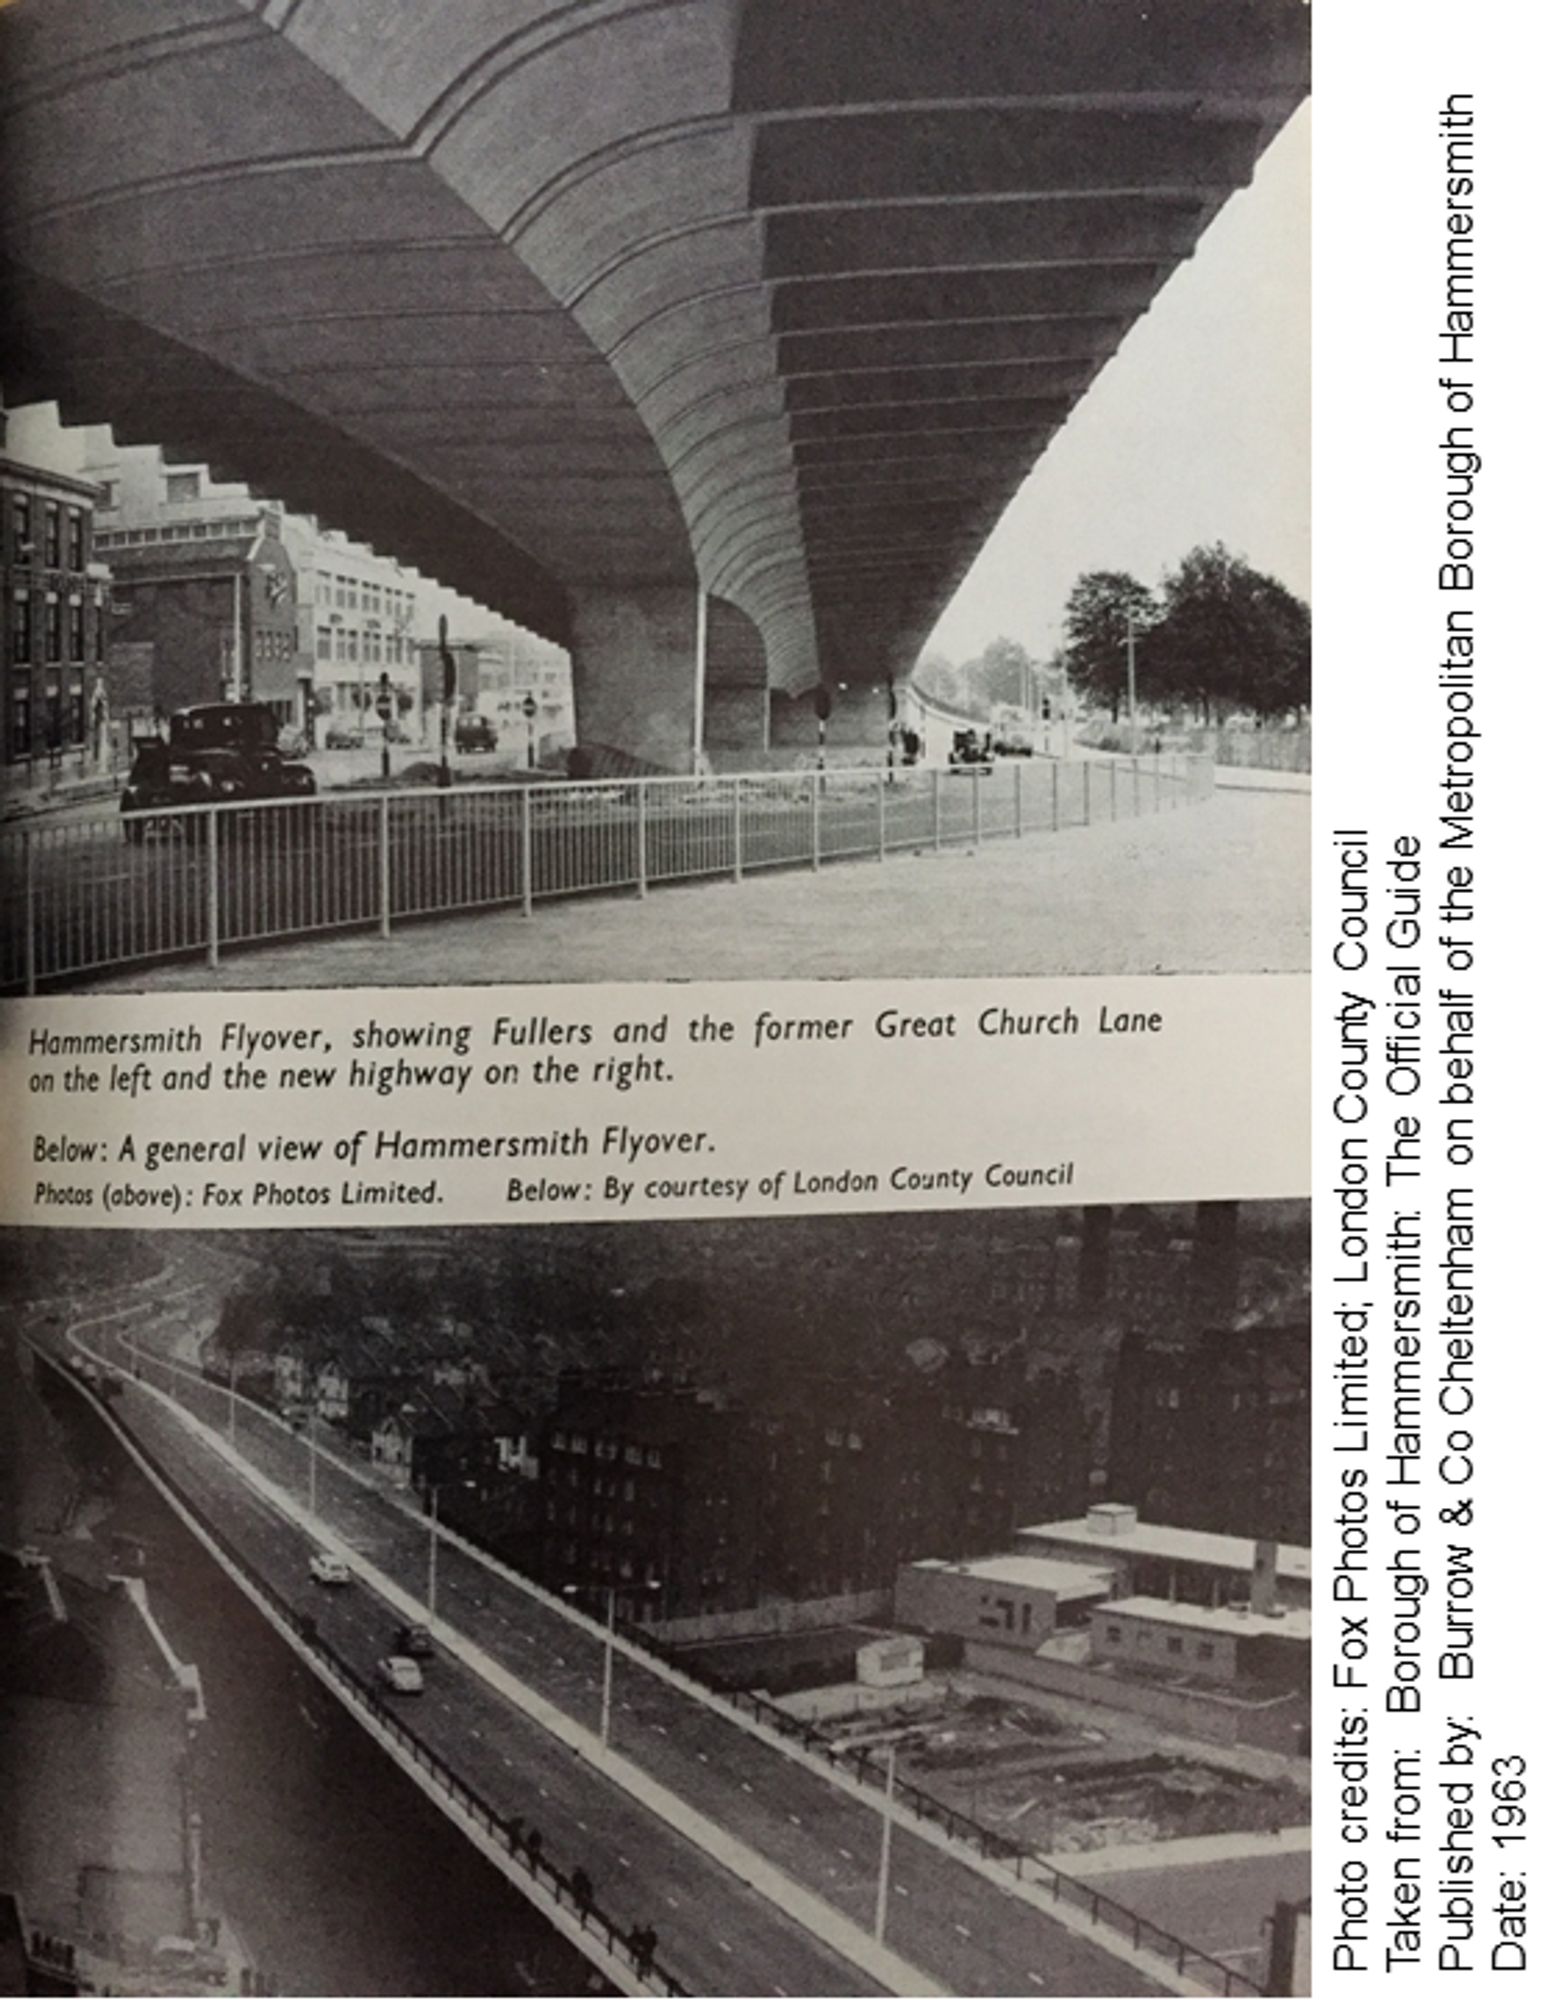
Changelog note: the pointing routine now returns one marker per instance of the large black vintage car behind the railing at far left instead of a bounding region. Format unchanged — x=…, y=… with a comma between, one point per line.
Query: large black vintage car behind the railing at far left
x=219, y=753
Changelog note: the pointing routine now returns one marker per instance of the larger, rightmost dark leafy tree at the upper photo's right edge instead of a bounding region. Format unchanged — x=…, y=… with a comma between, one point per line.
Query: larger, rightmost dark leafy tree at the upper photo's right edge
x=1232, y=639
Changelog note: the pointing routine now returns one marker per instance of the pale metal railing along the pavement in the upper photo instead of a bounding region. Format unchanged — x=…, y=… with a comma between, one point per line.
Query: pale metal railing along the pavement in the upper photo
x=109, y=891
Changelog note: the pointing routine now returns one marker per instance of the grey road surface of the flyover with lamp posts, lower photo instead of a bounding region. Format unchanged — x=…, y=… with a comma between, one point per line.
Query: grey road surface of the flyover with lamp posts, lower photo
x=812, y=1839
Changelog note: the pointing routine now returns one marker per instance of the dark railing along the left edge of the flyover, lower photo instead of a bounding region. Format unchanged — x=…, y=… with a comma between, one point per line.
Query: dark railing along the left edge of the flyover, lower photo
x=571, y=1893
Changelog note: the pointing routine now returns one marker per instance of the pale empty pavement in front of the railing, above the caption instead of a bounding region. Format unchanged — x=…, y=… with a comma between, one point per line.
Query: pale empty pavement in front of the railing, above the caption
x=1218, y=889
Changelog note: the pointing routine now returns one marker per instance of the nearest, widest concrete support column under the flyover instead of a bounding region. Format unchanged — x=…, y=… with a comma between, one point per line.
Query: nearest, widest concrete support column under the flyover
x=639, y=677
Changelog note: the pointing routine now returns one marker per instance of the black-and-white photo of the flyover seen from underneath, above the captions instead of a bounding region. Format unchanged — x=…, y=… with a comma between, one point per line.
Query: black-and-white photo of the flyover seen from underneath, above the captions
x=713, y=489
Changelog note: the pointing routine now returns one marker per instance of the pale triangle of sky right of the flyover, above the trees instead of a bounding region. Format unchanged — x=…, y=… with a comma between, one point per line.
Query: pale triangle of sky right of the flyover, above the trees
x=1198, y=431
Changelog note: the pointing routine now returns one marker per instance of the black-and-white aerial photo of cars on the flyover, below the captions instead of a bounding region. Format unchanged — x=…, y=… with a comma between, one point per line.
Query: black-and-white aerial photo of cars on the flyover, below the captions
x=802, y=1607
